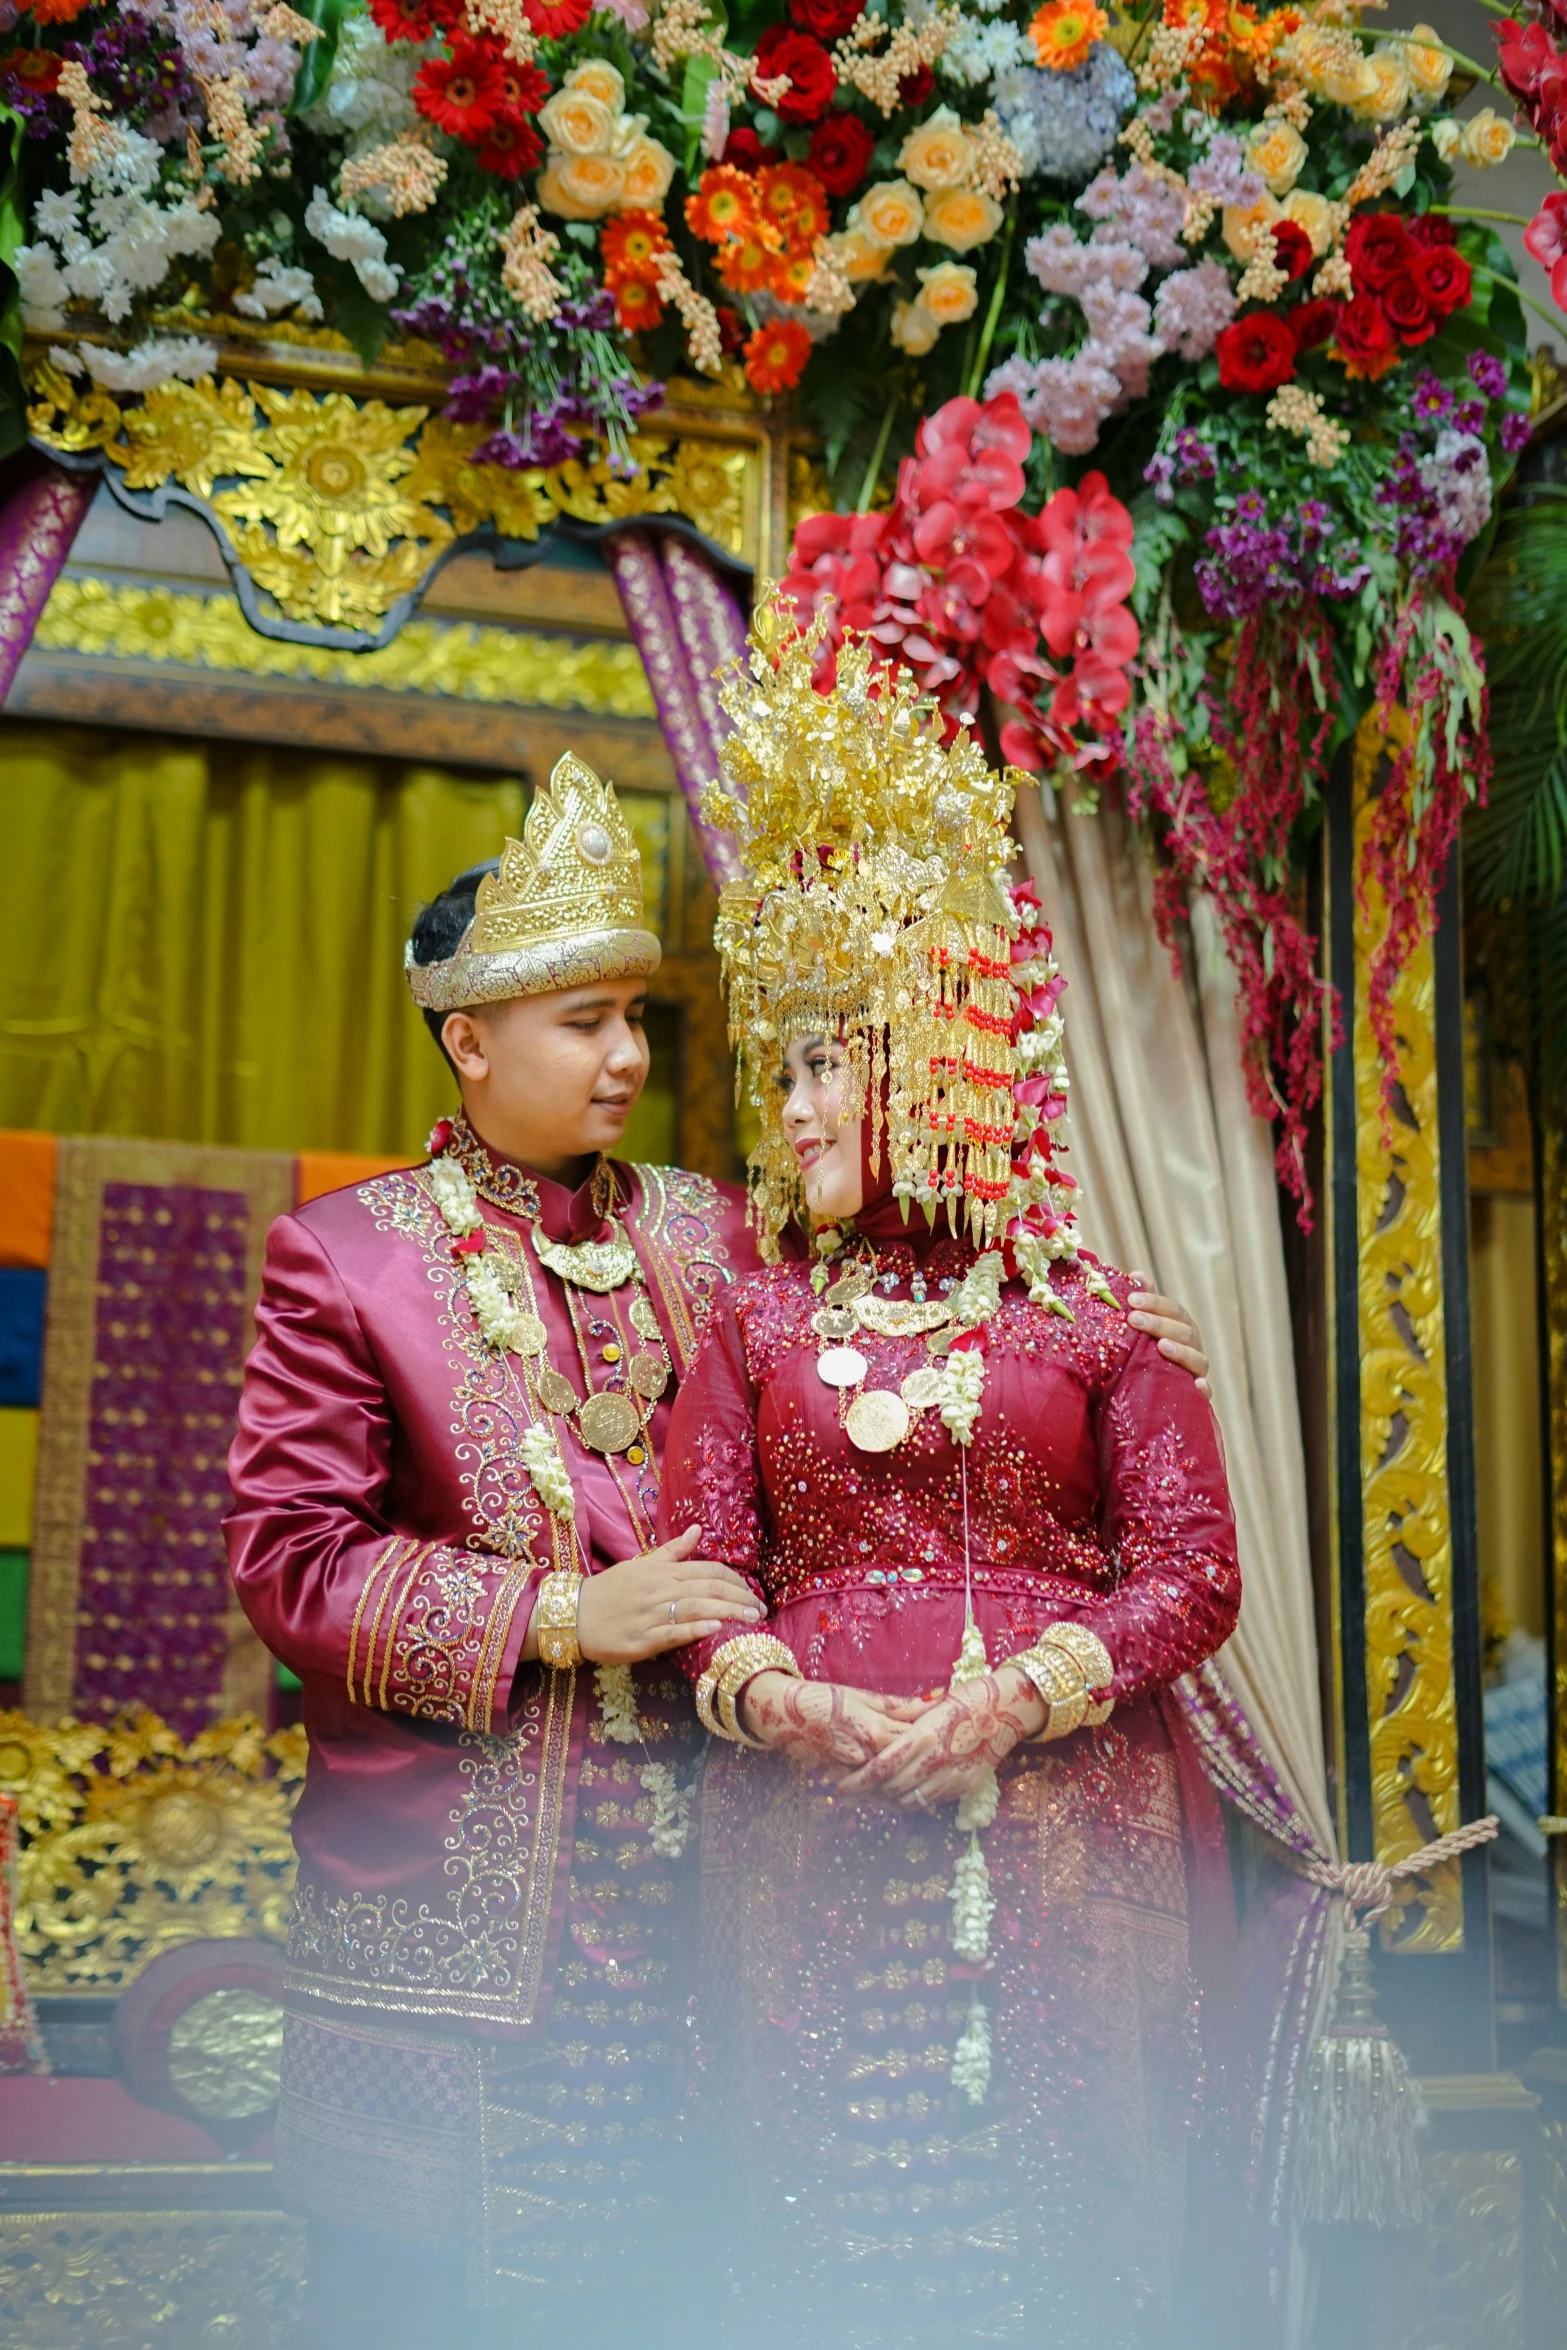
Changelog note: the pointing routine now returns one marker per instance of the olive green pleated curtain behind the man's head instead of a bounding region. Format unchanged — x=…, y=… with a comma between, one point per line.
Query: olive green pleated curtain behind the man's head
x=203, y=941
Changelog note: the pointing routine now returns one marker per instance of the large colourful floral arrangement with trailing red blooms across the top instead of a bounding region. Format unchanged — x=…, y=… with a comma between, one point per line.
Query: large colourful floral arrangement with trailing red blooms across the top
x=1166, y=389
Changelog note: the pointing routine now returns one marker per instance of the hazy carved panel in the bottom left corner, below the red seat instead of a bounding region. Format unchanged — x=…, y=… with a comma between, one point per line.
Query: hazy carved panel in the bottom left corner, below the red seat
x=123, y=2281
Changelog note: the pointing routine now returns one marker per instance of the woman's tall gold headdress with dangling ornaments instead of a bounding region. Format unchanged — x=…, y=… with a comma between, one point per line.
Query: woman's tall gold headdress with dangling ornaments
x=875, y=906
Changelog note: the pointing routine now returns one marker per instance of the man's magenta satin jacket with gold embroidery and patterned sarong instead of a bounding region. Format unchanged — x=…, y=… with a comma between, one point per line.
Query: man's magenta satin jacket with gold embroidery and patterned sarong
x=485, y=1970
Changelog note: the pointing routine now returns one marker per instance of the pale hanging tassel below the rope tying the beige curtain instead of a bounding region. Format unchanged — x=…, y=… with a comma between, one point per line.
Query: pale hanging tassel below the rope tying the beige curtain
x=1361, y=2114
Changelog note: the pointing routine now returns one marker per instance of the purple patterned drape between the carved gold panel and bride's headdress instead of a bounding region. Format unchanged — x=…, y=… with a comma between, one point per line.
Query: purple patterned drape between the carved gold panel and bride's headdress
x=687, y=624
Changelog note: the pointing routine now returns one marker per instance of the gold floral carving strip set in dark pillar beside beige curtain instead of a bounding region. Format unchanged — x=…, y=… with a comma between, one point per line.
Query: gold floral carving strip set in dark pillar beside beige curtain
x=1404, y=1428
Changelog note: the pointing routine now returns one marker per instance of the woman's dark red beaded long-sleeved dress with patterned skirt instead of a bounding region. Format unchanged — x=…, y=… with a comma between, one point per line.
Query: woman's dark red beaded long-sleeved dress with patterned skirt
x=877, y=2203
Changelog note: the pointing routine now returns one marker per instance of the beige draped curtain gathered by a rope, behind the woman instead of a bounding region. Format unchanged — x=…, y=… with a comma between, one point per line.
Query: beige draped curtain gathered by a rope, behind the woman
x=1178, y=1183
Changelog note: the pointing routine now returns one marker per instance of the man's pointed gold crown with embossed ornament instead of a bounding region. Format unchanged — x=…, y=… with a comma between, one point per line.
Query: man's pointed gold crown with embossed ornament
x=563, y=911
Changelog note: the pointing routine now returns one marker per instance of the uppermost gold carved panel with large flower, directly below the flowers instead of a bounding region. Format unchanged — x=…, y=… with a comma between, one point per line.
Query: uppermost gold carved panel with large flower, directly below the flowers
x=339, y=506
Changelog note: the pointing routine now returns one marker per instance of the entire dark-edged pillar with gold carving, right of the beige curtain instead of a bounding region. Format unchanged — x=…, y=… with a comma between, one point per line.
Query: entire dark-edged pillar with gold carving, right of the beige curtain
x=1406, y=1602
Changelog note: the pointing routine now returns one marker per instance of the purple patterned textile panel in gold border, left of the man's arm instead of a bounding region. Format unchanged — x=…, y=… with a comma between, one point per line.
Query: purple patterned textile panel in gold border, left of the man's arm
x=173, y=1331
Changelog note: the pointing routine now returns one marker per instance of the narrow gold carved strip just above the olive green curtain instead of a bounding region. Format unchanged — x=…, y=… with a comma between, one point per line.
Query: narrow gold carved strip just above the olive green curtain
x=426, y=657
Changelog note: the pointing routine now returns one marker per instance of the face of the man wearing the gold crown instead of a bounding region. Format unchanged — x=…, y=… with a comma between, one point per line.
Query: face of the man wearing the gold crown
x=556, y=1077
